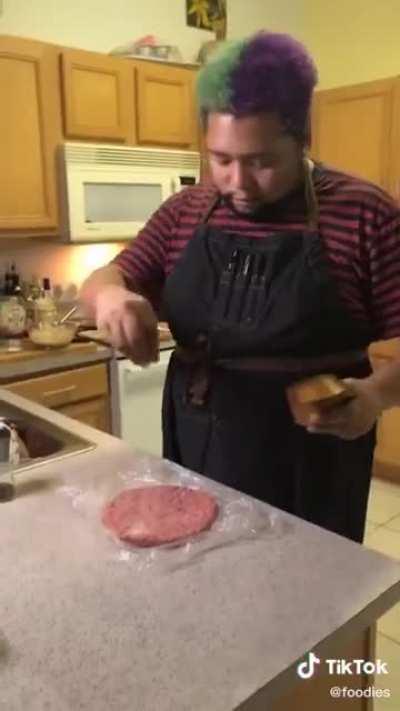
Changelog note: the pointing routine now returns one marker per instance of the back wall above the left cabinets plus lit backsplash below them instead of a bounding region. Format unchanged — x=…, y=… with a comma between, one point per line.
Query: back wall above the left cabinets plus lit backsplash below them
x=101, y=25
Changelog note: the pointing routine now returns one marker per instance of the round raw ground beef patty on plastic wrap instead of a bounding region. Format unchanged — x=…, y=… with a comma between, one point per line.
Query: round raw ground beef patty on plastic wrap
x=153, y=515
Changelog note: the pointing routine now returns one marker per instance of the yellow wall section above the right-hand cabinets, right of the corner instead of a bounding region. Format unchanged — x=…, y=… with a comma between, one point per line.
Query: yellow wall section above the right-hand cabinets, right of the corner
x=353, y=41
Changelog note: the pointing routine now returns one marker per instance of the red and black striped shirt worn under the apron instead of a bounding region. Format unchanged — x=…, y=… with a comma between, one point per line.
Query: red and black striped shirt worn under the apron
x=358, y=223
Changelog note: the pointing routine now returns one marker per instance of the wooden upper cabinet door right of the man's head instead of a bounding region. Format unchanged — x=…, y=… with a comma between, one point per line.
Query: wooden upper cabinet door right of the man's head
x=352, y=129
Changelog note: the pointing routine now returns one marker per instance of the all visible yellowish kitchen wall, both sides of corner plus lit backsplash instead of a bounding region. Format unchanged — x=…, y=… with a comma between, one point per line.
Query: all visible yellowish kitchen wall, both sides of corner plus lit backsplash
x=351, y=40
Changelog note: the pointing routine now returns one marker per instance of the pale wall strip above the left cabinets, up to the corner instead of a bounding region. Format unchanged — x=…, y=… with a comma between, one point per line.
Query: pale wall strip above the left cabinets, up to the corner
x=101, y=25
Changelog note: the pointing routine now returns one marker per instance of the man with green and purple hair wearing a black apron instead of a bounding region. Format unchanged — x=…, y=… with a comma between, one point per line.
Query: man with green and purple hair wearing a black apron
x=276, y=269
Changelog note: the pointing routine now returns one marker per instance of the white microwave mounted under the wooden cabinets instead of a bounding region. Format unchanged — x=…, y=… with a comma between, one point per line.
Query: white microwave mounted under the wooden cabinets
x=109, y=192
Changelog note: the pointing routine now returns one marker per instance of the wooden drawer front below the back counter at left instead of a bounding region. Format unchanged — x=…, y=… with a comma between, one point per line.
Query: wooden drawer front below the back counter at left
x=63, y=388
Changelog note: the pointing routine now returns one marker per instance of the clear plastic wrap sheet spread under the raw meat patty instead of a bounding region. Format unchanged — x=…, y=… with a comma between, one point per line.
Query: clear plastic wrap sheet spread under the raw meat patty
x=240, y=518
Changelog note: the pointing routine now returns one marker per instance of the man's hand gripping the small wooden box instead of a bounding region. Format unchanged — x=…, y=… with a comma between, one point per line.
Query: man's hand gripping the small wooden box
x=353, y=418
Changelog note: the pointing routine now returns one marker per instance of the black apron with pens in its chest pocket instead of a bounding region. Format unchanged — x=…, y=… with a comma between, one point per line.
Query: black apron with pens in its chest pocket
x=267, y=300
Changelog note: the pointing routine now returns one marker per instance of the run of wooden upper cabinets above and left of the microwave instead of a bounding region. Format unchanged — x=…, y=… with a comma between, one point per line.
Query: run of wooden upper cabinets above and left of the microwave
x=49, y=93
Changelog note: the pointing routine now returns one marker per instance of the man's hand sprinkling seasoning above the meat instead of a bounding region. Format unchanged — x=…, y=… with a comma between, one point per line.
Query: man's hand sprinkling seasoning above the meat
x=130, y=323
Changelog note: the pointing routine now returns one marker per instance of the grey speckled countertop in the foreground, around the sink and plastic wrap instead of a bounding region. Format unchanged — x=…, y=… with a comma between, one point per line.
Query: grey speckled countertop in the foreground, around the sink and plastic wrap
x=81, y=629
